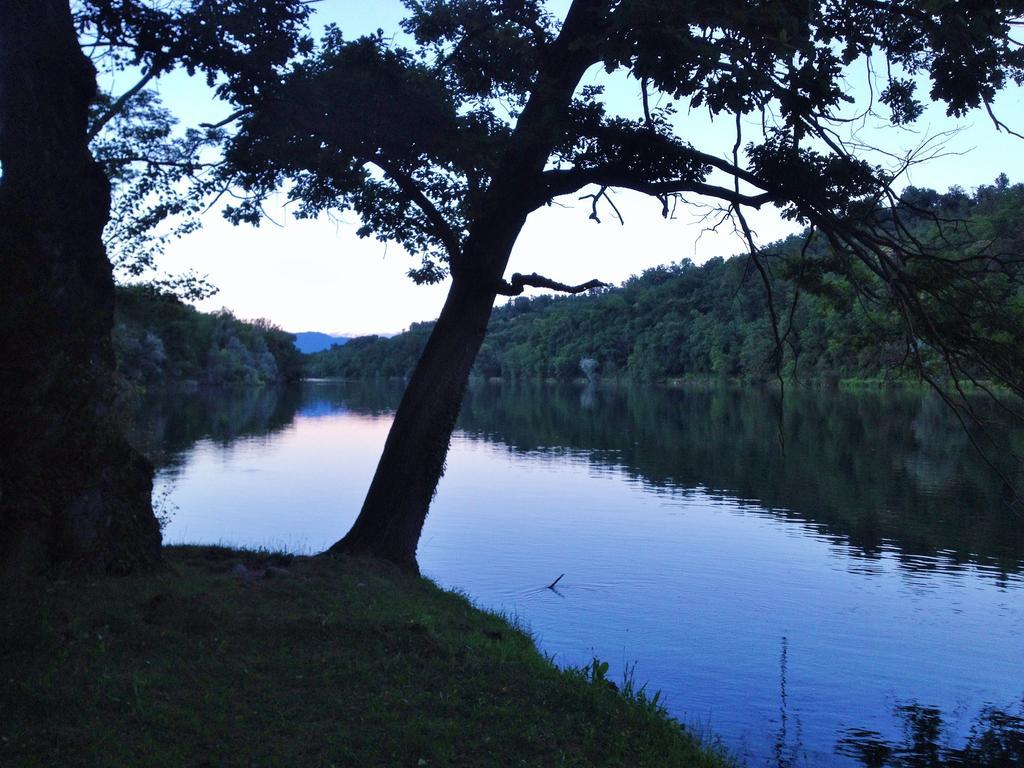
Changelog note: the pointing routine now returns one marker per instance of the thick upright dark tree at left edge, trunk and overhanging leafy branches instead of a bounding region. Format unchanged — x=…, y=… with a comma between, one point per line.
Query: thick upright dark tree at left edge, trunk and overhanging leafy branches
x=74, y=496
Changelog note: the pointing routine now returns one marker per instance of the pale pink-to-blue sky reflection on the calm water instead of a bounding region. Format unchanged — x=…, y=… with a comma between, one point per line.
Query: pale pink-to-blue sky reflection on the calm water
x=701, y=591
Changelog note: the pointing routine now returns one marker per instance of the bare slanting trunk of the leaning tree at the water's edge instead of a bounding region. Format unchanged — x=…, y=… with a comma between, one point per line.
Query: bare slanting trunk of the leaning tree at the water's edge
x=392, y=520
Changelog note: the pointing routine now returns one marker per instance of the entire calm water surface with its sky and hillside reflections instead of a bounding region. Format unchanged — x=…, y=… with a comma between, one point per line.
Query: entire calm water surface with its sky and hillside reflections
x=857, y=600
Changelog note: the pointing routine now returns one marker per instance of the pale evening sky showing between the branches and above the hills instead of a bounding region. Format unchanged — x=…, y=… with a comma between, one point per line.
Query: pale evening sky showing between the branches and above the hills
x=319, y=276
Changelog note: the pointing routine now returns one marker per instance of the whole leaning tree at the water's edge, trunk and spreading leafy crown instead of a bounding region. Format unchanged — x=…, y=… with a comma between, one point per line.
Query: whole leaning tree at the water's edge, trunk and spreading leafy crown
x=449, y=147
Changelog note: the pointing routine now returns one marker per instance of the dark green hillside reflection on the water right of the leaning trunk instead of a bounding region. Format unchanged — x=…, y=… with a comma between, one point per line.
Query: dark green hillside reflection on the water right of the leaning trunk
x=873, y=471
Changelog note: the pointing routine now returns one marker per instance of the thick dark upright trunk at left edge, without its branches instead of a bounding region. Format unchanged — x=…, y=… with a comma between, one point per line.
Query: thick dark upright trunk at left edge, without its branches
x=73, y=495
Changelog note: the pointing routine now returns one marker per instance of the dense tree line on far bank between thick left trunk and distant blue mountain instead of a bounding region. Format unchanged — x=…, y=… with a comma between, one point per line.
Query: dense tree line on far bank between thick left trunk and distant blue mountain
x=159, y=339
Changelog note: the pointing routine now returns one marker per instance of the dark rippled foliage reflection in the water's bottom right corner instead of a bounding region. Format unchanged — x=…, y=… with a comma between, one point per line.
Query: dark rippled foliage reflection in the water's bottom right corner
x=996, y=741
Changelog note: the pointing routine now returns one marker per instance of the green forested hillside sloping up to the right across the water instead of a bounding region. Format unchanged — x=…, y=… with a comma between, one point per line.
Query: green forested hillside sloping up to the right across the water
x=713, y=320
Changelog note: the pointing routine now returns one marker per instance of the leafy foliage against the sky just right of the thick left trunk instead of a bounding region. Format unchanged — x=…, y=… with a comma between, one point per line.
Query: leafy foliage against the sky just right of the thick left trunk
x=161, y=175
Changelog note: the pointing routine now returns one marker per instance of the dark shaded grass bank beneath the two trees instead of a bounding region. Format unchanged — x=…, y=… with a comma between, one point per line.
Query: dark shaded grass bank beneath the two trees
x=232, y=659
